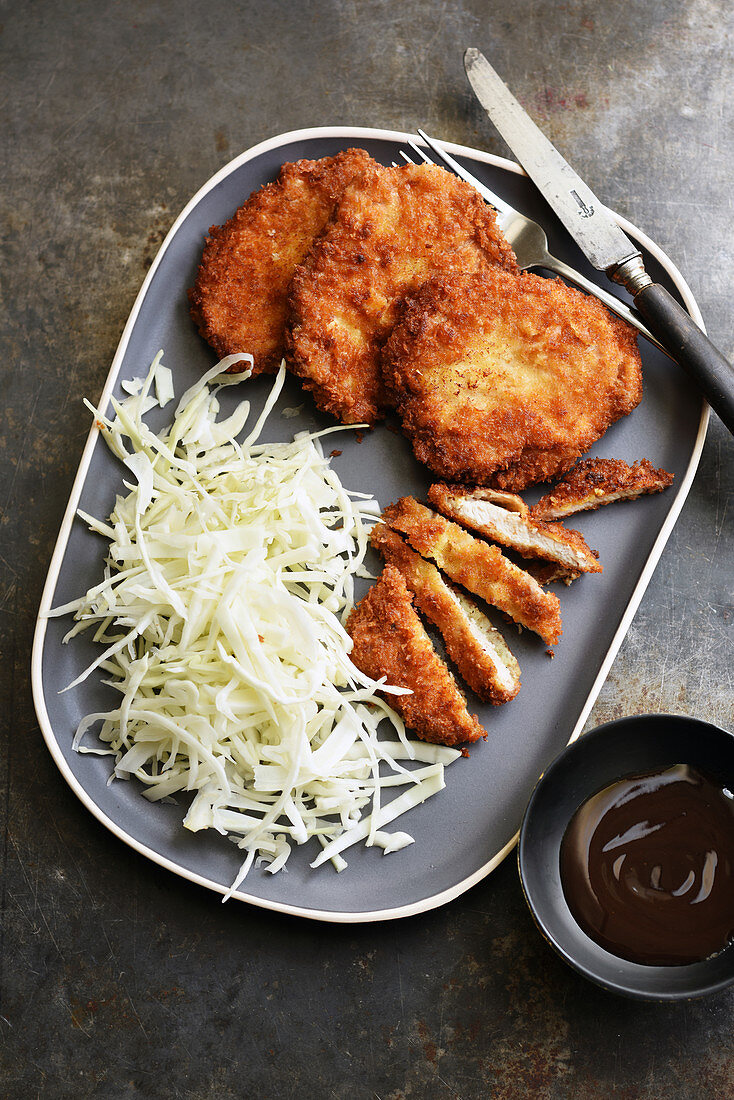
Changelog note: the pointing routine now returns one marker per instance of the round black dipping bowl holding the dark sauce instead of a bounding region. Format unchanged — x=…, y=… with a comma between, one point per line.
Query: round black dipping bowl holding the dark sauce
x=627, y=747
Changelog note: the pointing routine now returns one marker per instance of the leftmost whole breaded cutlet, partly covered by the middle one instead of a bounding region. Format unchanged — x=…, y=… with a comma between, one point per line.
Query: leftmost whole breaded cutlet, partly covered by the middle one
x=239, y=299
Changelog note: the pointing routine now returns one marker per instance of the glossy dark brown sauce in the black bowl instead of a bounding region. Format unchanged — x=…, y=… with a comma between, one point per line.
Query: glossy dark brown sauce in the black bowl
x=648, y=867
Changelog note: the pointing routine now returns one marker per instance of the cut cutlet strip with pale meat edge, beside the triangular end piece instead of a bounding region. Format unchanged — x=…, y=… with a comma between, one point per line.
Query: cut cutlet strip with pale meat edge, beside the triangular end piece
x=474, y=644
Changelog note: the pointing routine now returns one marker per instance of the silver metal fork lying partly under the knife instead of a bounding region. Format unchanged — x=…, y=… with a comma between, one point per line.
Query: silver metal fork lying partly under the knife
x=529, y=239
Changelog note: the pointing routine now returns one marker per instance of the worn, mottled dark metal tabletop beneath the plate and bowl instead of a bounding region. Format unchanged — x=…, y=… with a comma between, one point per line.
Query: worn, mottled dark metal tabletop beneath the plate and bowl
x=117, y=980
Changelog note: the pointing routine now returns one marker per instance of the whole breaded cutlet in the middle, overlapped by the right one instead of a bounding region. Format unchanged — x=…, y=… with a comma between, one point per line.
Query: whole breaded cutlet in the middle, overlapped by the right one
x=392, y=230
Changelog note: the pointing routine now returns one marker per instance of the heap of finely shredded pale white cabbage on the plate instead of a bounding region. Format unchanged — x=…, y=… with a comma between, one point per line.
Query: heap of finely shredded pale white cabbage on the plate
x=227, y=584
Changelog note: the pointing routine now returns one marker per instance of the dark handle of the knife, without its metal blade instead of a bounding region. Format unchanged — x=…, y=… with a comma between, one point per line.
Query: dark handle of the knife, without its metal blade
x=691, y=347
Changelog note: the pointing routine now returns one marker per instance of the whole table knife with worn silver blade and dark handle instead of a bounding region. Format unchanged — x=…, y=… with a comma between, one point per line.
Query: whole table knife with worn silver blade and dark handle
x=598, y=235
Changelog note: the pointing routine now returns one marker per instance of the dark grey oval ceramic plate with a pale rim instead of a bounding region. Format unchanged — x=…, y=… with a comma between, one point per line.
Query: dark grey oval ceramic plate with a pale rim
x=467, y=830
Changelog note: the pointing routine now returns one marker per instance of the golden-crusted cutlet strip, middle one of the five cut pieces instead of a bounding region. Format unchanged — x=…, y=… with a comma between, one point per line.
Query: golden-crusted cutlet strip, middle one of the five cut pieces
x=477, y=566
